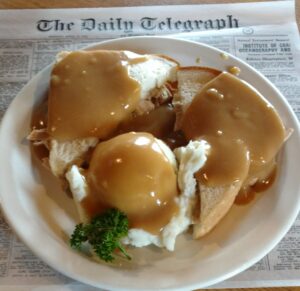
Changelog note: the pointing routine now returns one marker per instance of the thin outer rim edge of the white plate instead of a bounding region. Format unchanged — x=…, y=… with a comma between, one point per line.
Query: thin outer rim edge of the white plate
x=192, y=286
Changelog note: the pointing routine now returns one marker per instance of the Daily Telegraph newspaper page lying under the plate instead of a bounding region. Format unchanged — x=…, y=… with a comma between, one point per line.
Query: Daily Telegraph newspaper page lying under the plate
x=263, y=34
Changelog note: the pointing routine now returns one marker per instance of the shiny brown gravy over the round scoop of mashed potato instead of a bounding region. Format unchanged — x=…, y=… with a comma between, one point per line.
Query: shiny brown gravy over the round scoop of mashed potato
x=117, y=177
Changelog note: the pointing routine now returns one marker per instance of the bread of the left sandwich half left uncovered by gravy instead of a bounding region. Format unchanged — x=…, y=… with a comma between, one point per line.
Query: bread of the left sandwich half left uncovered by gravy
x=153, y=74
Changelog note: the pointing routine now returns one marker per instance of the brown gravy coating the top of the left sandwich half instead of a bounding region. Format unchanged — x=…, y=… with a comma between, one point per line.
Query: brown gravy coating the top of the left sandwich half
x=90, y=93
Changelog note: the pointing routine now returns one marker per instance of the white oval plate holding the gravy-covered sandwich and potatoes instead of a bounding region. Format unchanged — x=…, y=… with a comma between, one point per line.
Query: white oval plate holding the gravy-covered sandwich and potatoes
x=44, y=217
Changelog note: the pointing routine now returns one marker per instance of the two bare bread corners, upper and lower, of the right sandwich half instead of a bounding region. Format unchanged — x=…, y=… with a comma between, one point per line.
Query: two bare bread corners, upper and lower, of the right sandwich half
x=215, y=202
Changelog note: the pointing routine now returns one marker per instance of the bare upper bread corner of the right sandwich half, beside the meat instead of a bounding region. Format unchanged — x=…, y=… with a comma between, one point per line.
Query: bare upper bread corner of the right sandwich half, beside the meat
x=190, y=81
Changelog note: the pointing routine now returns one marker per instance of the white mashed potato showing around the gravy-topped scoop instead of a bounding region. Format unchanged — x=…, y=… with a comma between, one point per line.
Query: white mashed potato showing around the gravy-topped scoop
x=189, y=160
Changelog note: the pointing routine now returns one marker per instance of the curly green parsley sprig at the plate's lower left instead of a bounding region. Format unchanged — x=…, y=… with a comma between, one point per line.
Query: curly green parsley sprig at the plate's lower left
x=103, y=233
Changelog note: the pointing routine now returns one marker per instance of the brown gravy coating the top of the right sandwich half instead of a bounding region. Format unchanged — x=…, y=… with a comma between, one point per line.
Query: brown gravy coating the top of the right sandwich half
x=244, y=130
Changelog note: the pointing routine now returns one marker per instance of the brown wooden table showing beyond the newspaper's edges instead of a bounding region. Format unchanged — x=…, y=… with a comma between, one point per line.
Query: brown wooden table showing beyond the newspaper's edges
x=26, y=4
